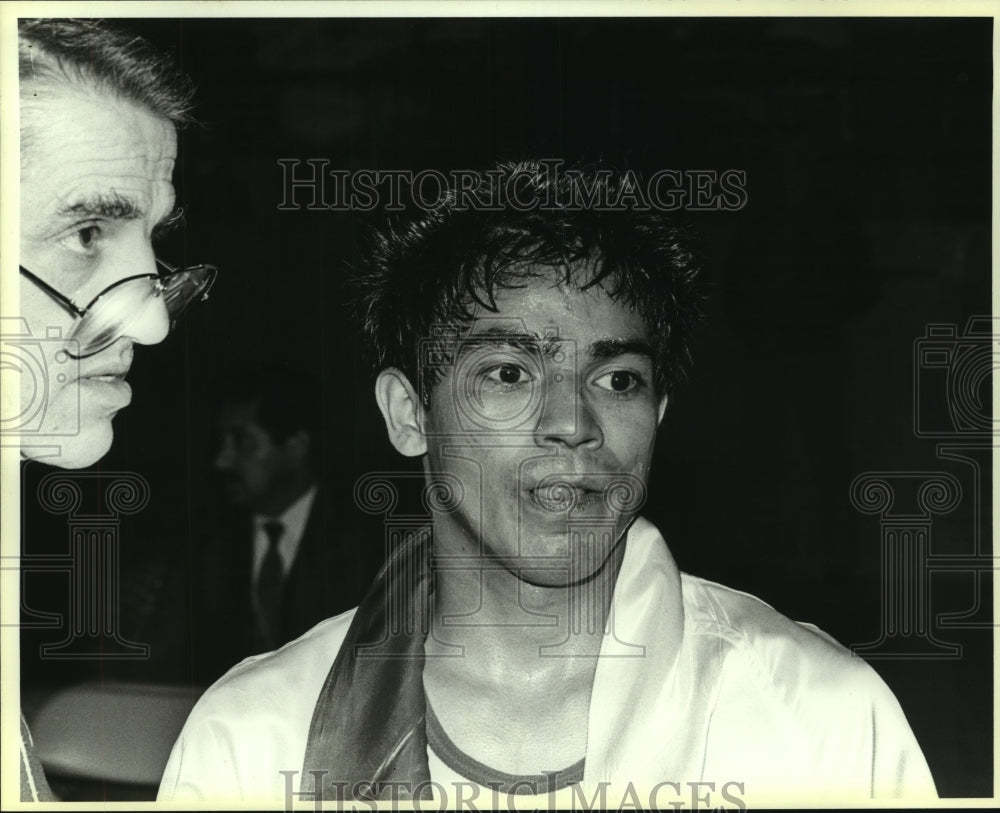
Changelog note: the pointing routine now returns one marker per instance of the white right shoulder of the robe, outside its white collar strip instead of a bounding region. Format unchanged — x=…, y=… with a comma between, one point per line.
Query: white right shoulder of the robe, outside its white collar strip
x=817, y=712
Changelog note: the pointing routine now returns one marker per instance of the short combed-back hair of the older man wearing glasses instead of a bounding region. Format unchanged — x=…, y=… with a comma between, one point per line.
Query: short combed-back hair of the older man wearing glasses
x=91, y=52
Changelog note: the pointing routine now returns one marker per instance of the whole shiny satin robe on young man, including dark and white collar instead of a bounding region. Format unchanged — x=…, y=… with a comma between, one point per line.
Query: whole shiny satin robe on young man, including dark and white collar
x=698, y=687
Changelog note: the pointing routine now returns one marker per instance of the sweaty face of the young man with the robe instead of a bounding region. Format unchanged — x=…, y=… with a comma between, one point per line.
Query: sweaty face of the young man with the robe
x=547, y=417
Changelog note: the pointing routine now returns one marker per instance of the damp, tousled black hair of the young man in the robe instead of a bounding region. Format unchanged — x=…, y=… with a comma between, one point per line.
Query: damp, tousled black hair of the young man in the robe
x=448, y=263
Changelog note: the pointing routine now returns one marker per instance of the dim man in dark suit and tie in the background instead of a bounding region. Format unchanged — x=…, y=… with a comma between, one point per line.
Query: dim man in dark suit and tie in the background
x=285, y=552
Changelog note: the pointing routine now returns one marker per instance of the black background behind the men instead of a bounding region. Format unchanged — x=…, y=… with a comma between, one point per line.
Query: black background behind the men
x=867, y=149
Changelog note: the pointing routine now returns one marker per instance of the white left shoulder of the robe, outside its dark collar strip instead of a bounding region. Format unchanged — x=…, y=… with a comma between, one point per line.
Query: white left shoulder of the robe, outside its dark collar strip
x=253, y=723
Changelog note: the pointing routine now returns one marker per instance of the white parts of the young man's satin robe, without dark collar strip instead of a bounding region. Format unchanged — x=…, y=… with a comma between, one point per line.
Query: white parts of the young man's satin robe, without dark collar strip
x=699, y=690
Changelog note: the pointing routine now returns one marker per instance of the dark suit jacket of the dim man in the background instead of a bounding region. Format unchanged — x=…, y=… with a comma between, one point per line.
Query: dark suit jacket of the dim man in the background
x=337, y=559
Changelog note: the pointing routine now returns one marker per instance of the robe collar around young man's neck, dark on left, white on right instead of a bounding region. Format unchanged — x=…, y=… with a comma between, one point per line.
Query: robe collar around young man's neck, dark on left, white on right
x=367, y=739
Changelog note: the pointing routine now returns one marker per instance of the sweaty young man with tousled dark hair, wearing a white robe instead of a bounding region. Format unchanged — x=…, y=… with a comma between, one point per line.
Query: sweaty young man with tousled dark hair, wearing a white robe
x=536, y=637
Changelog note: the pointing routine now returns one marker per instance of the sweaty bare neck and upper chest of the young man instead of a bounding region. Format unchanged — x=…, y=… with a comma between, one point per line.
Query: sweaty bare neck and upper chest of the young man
x=510, y=665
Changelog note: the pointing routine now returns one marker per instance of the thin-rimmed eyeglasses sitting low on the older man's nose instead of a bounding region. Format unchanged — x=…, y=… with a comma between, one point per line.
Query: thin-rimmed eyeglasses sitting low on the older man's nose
x=117, y=308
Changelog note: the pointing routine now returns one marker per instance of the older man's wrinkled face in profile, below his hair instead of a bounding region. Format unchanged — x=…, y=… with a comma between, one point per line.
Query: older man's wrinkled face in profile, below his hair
x=95, y=181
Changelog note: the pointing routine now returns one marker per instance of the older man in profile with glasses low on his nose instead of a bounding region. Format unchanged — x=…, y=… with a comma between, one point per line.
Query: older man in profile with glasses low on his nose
x=99, y=114
